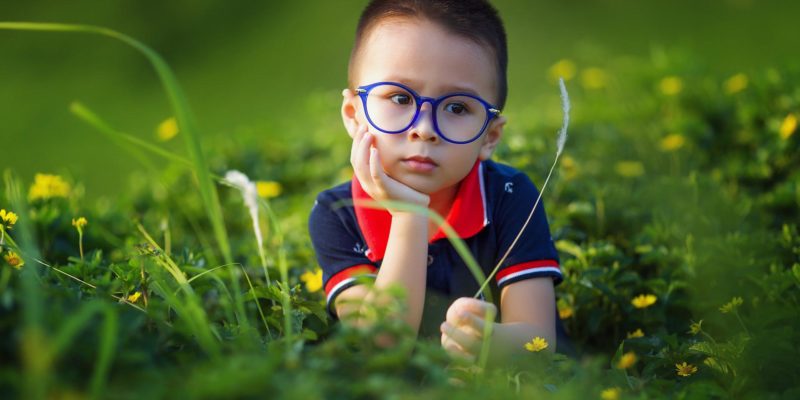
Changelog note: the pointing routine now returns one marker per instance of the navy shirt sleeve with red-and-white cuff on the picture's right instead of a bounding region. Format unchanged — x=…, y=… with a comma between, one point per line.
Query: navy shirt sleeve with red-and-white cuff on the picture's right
x=534, y=254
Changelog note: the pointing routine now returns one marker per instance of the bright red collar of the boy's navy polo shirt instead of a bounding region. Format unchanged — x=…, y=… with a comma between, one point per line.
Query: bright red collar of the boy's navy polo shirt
x=467, y=214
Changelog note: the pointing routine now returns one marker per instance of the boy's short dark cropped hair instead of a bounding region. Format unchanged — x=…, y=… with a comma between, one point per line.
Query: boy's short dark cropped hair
x=475, y=20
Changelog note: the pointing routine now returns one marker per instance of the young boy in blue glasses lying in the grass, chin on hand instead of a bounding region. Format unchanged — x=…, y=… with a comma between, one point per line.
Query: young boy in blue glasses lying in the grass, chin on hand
x=427, y=81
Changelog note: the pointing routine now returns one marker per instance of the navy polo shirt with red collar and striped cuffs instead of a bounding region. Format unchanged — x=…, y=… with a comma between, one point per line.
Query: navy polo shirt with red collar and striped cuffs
x=491, y=205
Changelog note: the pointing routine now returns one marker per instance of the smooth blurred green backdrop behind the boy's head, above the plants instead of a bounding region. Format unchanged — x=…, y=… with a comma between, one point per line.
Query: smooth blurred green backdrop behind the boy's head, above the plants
x=250, y=68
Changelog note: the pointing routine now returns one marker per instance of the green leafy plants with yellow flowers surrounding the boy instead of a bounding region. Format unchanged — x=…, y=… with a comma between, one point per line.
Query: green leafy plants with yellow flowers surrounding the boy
x=675, y=211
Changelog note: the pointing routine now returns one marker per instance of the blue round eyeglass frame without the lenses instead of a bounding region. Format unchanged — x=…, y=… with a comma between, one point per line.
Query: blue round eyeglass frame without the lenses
x=491, y=111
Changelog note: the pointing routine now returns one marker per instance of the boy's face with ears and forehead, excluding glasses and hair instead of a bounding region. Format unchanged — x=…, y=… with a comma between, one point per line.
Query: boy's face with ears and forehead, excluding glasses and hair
x=432, y=62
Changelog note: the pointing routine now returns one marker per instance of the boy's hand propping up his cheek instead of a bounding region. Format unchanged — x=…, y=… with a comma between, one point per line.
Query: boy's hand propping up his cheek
x=367, y=166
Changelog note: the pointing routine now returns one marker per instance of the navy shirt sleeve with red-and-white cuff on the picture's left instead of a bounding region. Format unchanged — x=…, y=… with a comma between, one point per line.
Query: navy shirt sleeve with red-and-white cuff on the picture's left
x=339, y=248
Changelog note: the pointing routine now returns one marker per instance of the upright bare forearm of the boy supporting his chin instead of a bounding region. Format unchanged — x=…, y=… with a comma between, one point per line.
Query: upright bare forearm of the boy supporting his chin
x=405, y=264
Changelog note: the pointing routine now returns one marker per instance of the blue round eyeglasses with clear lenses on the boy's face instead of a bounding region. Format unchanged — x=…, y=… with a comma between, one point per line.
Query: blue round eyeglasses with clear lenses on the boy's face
x=458, y=118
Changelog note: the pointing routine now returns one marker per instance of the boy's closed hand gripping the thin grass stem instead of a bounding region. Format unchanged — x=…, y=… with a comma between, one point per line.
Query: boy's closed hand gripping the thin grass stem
x=462, y=331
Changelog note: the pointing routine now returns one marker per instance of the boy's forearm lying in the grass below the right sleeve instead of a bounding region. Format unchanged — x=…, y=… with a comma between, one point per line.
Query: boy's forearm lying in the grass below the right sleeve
x=508, y=339
